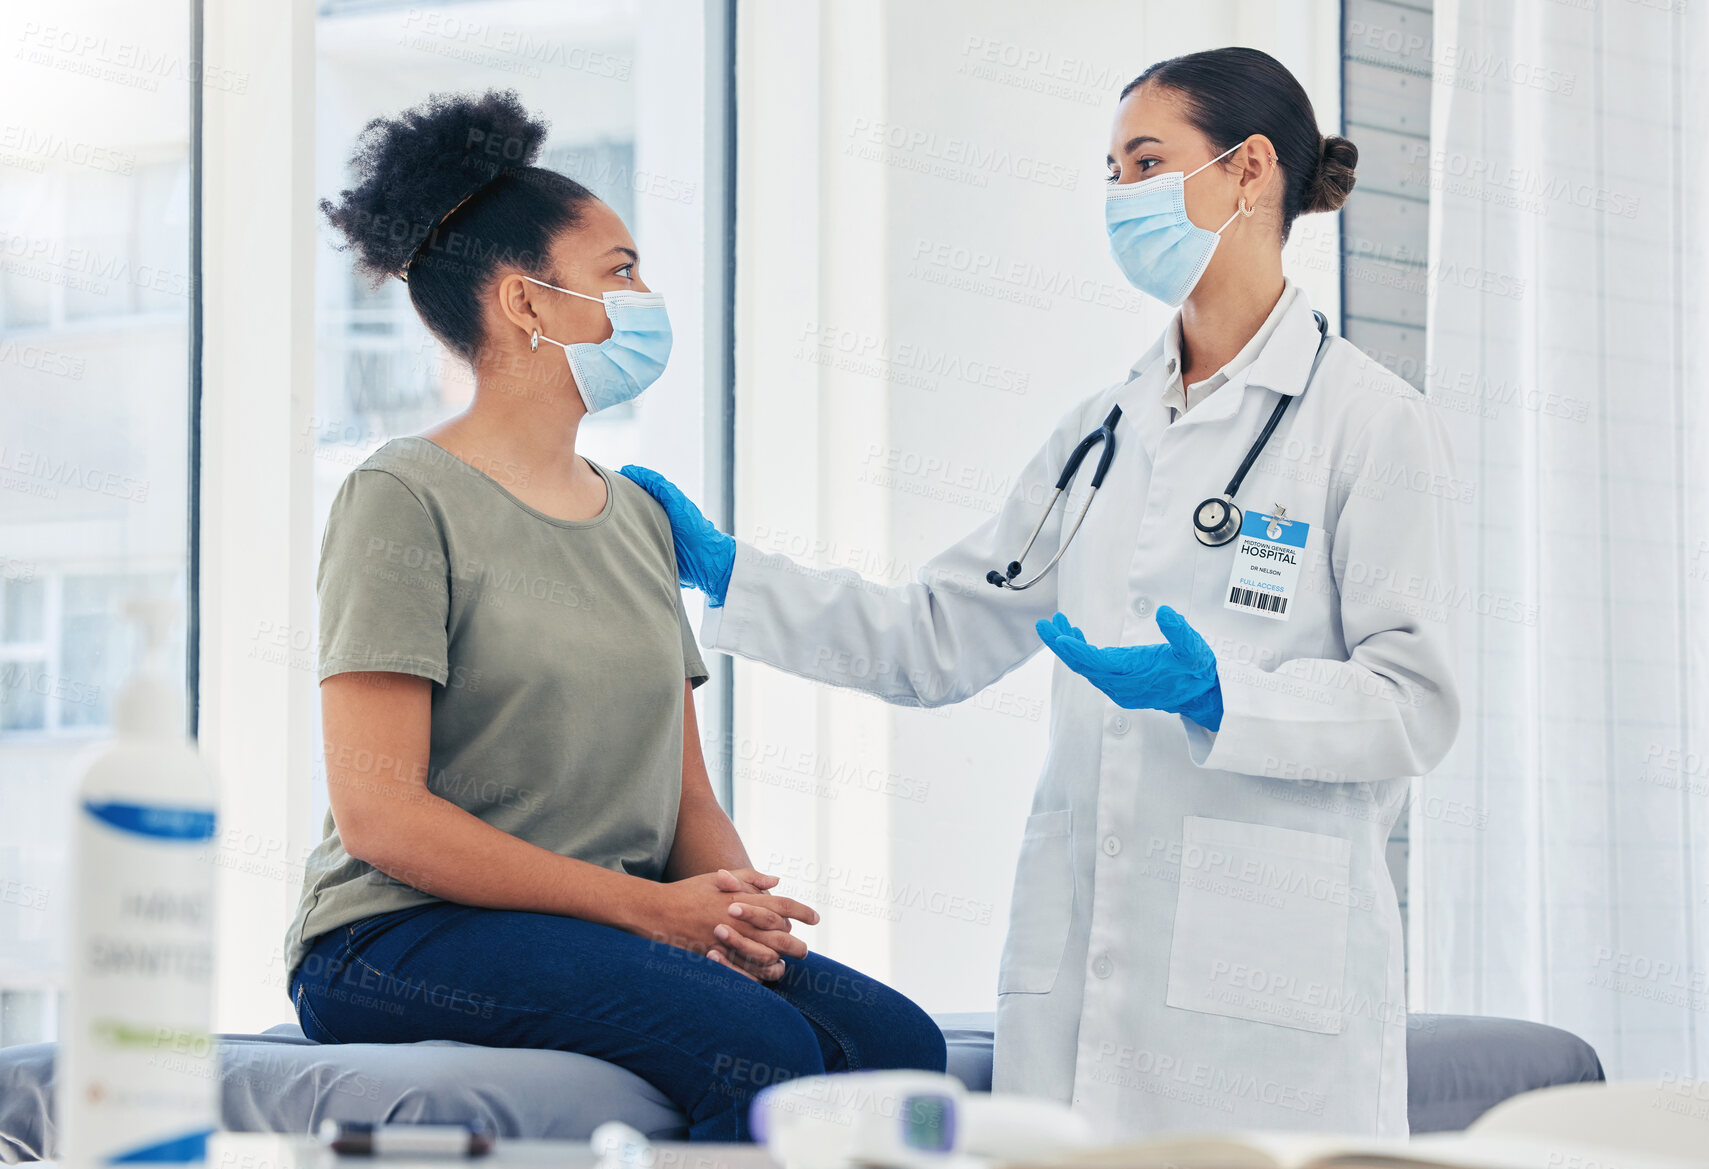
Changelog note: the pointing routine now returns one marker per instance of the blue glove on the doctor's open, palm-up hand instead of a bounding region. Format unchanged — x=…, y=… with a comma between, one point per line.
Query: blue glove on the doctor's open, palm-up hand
x=1178, y=676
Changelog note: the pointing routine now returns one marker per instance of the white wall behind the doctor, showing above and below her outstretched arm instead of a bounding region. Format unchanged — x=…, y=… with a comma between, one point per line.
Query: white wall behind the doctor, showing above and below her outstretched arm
x=924, y=286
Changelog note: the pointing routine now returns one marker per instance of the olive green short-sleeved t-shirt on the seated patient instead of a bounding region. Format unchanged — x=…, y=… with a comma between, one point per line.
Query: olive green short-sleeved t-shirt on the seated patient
x=560, y=650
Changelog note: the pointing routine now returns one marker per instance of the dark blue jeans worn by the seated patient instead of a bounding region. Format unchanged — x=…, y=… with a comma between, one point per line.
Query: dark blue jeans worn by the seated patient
x=707, y=1037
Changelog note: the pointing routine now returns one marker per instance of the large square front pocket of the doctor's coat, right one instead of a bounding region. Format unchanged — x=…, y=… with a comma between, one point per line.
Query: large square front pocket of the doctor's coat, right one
x=1262, y=924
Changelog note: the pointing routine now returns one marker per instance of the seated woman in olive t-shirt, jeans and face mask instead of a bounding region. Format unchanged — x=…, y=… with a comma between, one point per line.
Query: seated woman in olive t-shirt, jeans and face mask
x=524, y=847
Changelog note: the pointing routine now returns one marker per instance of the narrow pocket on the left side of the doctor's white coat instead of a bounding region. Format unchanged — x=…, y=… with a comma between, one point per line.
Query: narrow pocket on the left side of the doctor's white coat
x=1042, y=907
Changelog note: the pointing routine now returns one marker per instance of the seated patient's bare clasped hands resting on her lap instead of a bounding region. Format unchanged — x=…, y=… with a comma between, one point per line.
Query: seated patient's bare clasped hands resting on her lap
x=731, y=917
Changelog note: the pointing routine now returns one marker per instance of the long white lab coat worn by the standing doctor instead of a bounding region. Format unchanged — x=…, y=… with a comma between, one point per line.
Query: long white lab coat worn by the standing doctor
x=1204, y=932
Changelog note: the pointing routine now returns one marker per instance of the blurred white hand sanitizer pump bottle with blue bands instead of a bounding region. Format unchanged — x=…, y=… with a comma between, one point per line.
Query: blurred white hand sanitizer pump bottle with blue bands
x=139, y=1072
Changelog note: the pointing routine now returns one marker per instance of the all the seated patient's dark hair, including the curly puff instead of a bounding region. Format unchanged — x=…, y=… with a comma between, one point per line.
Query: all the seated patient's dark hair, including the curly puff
x=445, y=196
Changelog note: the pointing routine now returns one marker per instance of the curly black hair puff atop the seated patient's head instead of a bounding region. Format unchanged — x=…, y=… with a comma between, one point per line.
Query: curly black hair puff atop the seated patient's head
x=416, y=168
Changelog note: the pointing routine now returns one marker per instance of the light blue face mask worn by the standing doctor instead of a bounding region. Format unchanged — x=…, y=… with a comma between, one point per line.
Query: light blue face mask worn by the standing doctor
x=1158, y=247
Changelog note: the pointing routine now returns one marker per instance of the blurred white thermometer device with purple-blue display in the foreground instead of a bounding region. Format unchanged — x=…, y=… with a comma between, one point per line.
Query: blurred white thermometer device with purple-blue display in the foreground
x=907, y=1120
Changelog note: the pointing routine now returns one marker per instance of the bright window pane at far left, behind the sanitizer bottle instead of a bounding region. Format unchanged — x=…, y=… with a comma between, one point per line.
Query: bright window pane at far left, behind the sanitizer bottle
x=95, y=402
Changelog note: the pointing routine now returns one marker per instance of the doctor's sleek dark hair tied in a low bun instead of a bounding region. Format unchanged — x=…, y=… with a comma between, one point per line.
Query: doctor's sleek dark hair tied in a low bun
x=1235, y=93
